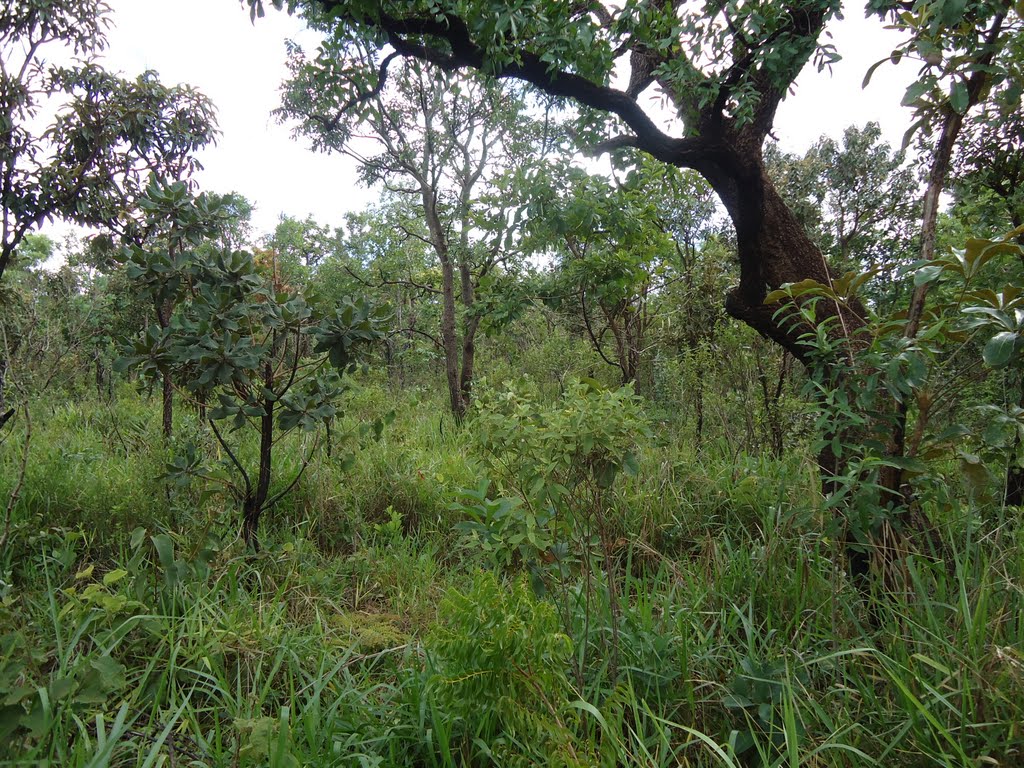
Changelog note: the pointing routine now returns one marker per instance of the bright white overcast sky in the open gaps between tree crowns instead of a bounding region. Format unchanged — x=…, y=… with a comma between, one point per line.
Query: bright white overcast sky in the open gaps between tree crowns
x=212, y=46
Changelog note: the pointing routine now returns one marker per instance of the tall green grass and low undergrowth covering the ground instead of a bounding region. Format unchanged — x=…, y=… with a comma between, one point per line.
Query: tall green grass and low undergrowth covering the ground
x=716, y=628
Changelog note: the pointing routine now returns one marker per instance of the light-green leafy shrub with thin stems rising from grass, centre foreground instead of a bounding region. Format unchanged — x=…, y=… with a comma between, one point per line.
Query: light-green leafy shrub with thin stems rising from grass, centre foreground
x=559, y=461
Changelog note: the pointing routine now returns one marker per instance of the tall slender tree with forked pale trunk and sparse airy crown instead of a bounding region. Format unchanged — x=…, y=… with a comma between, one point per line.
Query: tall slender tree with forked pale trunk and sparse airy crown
x=441, y=141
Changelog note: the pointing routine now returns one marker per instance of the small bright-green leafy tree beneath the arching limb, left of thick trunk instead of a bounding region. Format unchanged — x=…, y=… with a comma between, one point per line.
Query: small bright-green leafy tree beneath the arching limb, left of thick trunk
x=620, y=247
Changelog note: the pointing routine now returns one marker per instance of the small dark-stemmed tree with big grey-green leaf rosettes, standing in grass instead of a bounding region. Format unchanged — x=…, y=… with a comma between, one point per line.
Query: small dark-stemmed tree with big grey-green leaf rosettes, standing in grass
x=244, y=339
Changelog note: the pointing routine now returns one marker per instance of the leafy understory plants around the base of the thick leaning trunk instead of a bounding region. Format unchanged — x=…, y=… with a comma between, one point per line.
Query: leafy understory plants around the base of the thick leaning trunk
x=887, y=412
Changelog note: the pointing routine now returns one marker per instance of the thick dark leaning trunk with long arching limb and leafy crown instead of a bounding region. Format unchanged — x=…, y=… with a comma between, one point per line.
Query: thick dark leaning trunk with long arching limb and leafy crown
x=724, y=69
